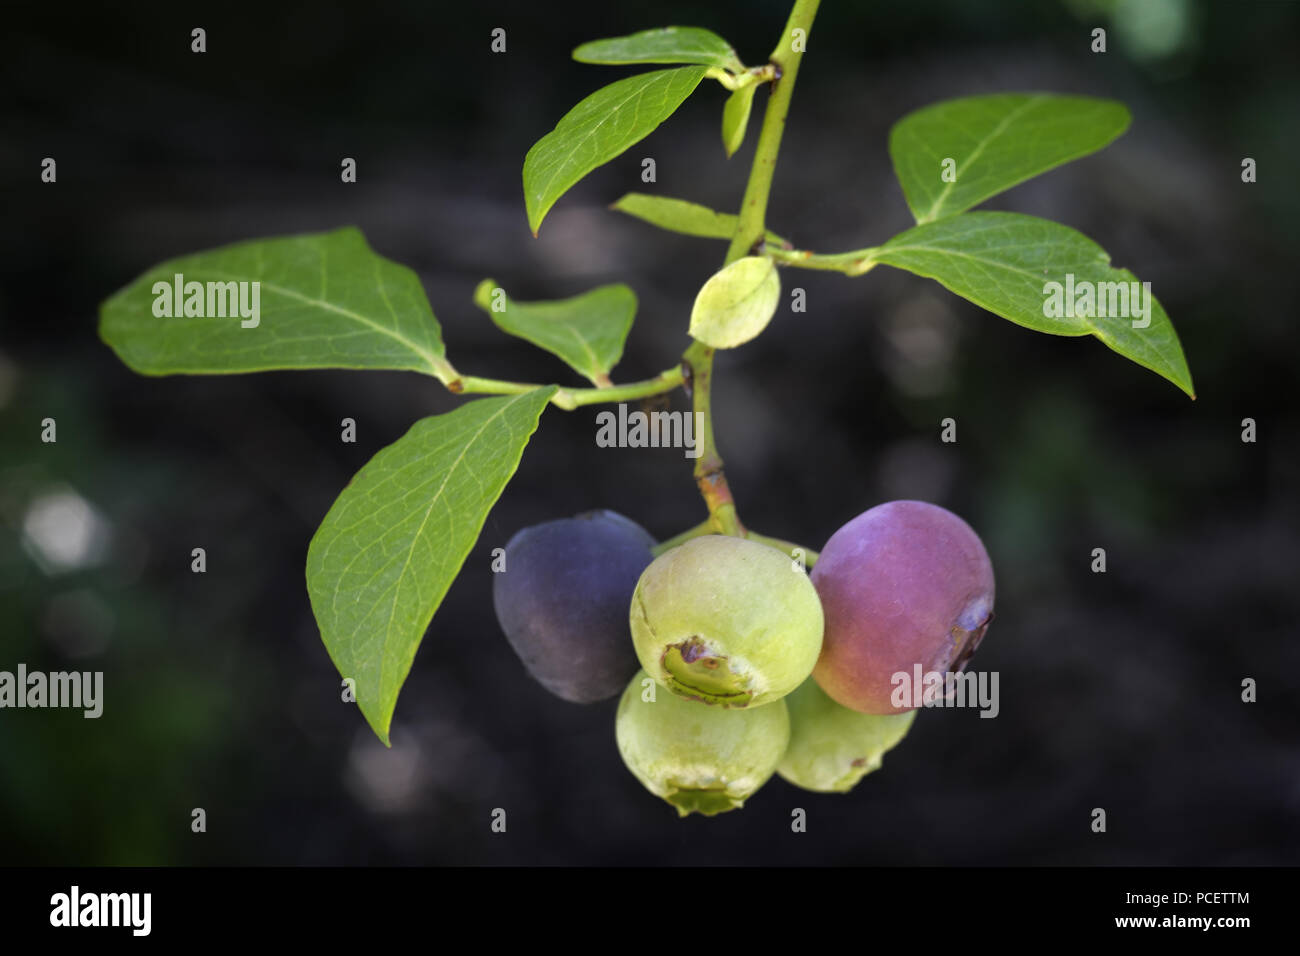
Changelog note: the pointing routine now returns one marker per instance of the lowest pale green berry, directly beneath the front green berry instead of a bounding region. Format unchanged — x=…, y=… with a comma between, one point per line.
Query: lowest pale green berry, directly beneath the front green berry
x=699, y=759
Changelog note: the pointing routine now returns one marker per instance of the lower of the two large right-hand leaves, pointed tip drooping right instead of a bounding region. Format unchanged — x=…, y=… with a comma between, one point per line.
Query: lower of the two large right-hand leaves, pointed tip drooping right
x=1004, y=263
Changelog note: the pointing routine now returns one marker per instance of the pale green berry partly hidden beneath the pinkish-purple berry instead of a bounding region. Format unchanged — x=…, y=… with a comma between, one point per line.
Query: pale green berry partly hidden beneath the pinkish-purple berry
x=833, y=747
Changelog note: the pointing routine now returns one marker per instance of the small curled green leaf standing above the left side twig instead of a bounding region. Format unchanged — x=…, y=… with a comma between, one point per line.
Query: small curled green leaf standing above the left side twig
x=587, y=331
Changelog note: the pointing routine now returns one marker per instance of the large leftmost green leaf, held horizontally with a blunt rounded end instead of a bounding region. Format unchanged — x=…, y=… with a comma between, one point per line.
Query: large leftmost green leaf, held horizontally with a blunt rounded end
x=323, y=301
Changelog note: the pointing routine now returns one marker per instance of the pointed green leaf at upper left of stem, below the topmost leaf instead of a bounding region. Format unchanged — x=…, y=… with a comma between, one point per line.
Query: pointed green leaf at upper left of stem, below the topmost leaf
x=599, y=129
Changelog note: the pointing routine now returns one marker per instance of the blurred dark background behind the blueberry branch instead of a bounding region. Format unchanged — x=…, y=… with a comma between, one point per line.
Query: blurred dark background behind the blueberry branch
x=1119, y=690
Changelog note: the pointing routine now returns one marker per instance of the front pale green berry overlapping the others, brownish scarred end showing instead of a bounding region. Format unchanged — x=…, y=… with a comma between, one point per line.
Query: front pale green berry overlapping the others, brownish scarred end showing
x=727, y=621
